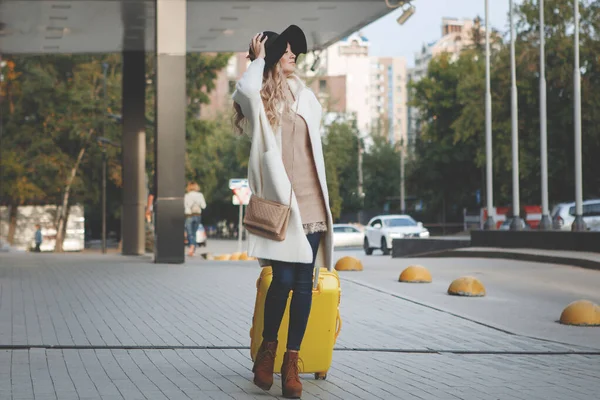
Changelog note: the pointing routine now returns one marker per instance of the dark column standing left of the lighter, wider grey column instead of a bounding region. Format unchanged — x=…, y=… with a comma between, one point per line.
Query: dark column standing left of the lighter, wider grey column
x=134, y=129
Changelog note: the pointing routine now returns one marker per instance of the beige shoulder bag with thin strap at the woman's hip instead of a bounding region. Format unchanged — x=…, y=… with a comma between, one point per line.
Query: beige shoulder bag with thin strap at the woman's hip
x=266, y=218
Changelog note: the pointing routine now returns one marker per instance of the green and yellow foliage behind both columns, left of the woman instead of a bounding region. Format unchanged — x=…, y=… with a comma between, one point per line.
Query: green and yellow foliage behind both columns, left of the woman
x=53, y=106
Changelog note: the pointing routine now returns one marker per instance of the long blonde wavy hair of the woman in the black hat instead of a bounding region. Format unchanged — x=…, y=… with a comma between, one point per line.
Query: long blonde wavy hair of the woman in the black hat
x=273, y=97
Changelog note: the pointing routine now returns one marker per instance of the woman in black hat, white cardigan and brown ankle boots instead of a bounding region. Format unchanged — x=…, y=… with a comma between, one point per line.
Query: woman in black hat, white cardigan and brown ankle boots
x=283, y=117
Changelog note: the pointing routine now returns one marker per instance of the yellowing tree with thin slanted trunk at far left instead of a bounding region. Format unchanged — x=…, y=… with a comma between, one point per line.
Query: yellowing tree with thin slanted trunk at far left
x=51, y=120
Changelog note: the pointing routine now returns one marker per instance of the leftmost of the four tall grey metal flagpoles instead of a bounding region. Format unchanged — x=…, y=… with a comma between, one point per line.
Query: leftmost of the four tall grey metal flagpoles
x=489, y=223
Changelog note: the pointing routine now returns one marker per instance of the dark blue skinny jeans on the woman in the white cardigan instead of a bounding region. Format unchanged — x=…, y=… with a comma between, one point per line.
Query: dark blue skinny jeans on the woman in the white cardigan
x=299, y=278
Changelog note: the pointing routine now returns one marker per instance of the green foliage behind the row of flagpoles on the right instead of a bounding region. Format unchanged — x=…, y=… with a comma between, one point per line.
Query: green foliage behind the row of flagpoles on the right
x=447, y=167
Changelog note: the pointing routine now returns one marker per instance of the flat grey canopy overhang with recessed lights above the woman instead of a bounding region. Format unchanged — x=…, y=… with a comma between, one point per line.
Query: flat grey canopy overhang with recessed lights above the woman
x=99, y=26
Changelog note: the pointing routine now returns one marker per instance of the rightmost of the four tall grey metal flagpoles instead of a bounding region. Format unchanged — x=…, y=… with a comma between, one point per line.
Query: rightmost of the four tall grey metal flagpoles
x=578, y=224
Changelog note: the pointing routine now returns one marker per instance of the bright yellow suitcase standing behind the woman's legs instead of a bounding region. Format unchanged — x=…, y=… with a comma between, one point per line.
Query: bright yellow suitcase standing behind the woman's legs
x=324, y=323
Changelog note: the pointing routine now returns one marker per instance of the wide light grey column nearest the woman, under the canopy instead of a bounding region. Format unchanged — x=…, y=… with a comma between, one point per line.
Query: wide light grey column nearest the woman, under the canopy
x=169, y=148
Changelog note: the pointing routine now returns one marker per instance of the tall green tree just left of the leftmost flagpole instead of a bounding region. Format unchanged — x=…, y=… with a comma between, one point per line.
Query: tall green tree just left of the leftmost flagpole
x=443, y=170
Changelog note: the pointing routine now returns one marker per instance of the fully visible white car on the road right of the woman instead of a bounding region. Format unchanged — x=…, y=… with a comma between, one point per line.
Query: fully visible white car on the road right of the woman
x=382, y=229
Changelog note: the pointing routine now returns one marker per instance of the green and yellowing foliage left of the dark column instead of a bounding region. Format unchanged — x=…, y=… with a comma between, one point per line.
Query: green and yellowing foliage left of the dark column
x=54, y=110
